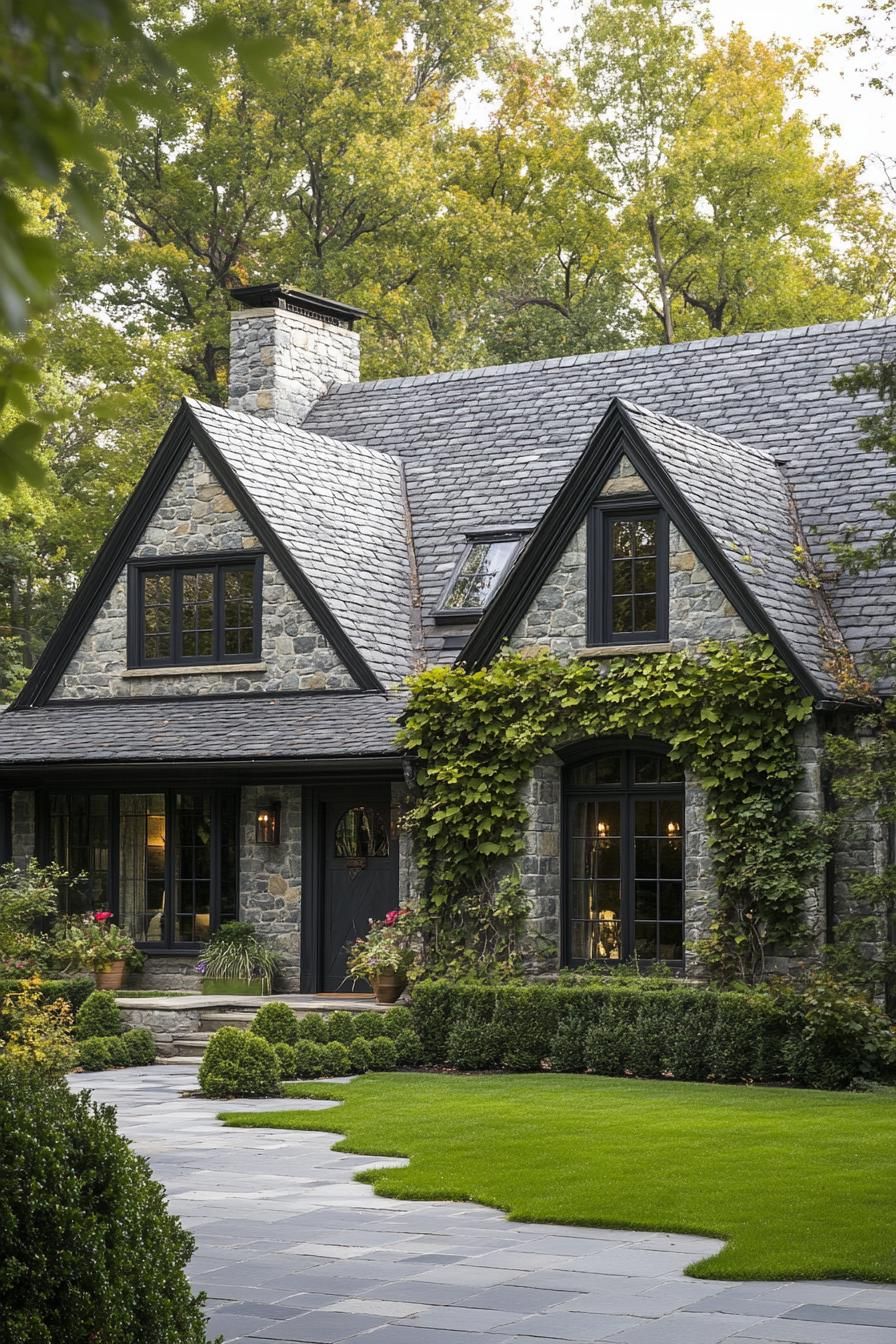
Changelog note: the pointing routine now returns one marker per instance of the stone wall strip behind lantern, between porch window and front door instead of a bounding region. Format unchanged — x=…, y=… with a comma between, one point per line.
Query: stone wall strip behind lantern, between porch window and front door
x=271, y=877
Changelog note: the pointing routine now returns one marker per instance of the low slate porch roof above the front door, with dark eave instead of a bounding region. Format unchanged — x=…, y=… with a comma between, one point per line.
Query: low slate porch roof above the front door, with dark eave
x=230, y=736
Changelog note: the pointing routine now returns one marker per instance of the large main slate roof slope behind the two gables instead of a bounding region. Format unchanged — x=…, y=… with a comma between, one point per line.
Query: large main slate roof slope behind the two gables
x=494, y=446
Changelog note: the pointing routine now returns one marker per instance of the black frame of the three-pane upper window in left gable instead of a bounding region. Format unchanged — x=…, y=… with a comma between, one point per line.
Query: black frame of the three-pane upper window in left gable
x=179, y=565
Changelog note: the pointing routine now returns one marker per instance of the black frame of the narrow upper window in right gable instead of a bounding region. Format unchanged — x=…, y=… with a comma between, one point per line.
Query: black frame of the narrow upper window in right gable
x=601, y=518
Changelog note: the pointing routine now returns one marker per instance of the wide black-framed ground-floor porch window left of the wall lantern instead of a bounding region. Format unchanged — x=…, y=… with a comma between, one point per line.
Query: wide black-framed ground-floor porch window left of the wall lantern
x=163, y=861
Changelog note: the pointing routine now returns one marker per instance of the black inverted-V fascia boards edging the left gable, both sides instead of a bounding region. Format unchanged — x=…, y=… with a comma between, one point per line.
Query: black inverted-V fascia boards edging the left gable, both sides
x=183, y=433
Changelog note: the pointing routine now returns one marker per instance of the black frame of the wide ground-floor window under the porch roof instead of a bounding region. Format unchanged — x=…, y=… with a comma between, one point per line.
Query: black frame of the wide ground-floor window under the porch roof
x=167, y=947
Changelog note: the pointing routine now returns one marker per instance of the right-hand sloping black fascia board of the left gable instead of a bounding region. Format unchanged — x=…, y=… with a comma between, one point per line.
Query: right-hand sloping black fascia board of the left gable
x=285, y=561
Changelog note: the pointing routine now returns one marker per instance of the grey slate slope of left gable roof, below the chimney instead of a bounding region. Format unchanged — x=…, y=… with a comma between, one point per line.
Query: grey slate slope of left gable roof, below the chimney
x=341, y=511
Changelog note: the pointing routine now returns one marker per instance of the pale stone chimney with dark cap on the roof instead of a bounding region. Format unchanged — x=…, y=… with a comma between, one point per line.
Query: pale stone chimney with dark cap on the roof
x=288, y=349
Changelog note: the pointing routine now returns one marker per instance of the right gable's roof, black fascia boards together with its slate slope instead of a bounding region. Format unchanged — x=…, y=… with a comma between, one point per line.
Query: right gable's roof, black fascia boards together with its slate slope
x=738, y=526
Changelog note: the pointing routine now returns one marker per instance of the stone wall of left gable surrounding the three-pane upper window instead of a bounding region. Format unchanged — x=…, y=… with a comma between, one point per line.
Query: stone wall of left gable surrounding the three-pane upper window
x=198, y=518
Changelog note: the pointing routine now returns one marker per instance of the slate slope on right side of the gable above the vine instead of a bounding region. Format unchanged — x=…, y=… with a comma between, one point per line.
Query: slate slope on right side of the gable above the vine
x=741, y=495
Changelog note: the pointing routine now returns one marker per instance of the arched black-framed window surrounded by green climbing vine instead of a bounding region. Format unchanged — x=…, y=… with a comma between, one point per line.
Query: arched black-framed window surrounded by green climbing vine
x=624, y=857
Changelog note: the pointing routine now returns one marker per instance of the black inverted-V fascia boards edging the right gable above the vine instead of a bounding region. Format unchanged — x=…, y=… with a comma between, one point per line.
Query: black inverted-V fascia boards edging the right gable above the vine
x=615, y=436
